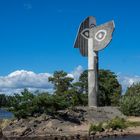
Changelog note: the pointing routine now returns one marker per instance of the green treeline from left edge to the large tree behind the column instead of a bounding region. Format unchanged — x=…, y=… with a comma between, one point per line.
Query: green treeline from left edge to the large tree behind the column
x=66, y=94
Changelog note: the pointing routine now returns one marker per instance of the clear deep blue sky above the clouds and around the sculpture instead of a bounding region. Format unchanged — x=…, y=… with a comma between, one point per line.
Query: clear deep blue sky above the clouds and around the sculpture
x=38, y=35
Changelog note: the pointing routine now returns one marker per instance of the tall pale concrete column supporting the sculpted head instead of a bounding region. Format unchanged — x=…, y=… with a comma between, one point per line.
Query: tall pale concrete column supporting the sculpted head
x=92, y=75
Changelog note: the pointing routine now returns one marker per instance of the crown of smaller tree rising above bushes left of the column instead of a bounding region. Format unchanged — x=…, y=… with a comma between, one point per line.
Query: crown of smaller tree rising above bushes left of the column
x=61, y=82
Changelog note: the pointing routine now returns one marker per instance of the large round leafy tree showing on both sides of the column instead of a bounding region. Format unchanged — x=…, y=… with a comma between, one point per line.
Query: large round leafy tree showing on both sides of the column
x=109, y=87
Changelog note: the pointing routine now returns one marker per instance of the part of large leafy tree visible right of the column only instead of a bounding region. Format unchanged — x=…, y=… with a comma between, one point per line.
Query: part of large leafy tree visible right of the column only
x=109, y=88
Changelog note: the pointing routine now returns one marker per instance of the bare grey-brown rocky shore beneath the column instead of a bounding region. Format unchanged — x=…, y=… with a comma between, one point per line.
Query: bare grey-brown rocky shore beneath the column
x=64, y=121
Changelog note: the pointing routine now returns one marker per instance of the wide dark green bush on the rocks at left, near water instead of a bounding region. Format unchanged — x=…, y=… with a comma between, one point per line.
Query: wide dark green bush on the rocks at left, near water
x=28, y=104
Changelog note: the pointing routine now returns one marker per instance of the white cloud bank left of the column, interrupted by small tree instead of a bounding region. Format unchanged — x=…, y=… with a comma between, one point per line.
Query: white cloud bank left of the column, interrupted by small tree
x=16, y=81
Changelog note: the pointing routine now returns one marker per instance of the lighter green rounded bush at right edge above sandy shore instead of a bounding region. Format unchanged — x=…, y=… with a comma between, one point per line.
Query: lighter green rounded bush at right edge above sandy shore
x=130, y=105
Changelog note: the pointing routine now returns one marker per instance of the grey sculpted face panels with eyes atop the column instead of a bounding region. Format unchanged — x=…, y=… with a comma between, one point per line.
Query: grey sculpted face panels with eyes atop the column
x=101, y=35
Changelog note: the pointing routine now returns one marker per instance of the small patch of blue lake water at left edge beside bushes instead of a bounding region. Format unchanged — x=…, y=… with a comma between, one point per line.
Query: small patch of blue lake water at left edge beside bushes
x=5, y=114
